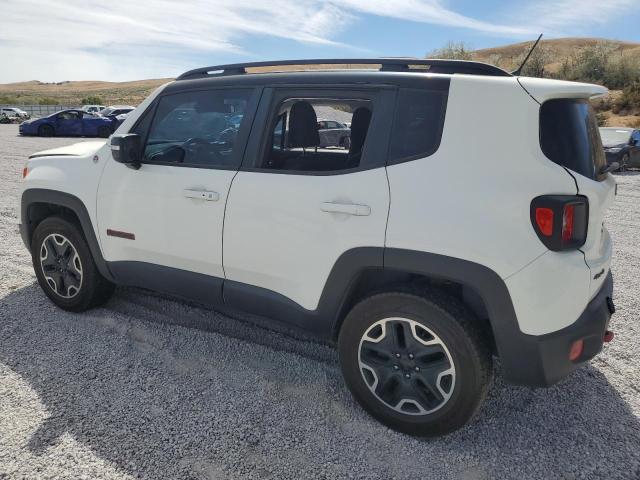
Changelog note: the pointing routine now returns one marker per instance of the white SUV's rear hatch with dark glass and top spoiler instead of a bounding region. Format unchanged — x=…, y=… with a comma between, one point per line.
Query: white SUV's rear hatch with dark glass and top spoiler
x=569, y=136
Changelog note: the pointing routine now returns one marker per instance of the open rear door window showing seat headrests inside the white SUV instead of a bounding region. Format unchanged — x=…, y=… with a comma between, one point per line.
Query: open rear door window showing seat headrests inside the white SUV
x=299, y=142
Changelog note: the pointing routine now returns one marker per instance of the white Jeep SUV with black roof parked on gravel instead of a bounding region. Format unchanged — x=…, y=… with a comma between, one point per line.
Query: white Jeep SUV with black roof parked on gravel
x=465, y=221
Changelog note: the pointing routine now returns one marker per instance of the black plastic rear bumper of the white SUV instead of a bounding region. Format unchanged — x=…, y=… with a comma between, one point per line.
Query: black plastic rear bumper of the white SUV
x=544, y=359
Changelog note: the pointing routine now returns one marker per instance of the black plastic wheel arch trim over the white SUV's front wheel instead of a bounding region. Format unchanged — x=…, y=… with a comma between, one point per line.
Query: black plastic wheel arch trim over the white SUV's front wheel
x=38, y=204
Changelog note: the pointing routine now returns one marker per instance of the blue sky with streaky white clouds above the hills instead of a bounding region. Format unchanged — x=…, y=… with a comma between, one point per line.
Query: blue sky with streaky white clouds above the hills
x=115, y=40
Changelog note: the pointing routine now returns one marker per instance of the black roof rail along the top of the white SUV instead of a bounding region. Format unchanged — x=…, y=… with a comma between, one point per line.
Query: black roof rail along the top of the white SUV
x=386, y=64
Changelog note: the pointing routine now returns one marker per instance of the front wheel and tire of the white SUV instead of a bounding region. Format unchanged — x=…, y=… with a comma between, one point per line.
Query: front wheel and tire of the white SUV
x=65, y=268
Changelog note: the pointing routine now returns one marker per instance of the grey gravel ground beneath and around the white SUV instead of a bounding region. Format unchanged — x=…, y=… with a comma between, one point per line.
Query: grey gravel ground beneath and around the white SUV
x=148, y=387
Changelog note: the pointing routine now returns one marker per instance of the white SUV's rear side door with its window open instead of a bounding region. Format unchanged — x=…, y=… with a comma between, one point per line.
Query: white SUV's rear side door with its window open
x=295, y=207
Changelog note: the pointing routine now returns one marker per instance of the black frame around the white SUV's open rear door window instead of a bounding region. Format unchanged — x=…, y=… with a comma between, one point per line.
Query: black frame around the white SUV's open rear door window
x=383, y=101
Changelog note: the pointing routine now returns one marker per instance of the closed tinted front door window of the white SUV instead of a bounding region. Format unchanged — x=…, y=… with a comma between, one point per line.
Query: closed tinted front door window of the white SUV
x=197, y=128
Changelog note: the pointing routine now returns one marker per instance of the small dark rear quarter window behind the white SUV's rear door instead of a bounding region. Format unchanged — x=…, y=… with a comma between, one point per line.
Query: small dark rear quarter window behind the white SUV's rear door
x=418, y=123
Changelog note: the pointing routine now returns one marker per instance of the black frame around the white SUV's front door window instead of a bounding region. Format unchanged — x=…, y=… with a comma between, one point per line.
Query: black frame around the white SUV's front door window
x=243, y=133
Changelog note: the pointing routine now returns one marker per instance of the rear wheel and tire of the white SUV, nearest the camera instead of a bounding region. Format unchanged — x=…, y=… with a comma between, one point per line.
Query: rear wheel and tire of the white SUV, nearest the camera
x=438, y=388
